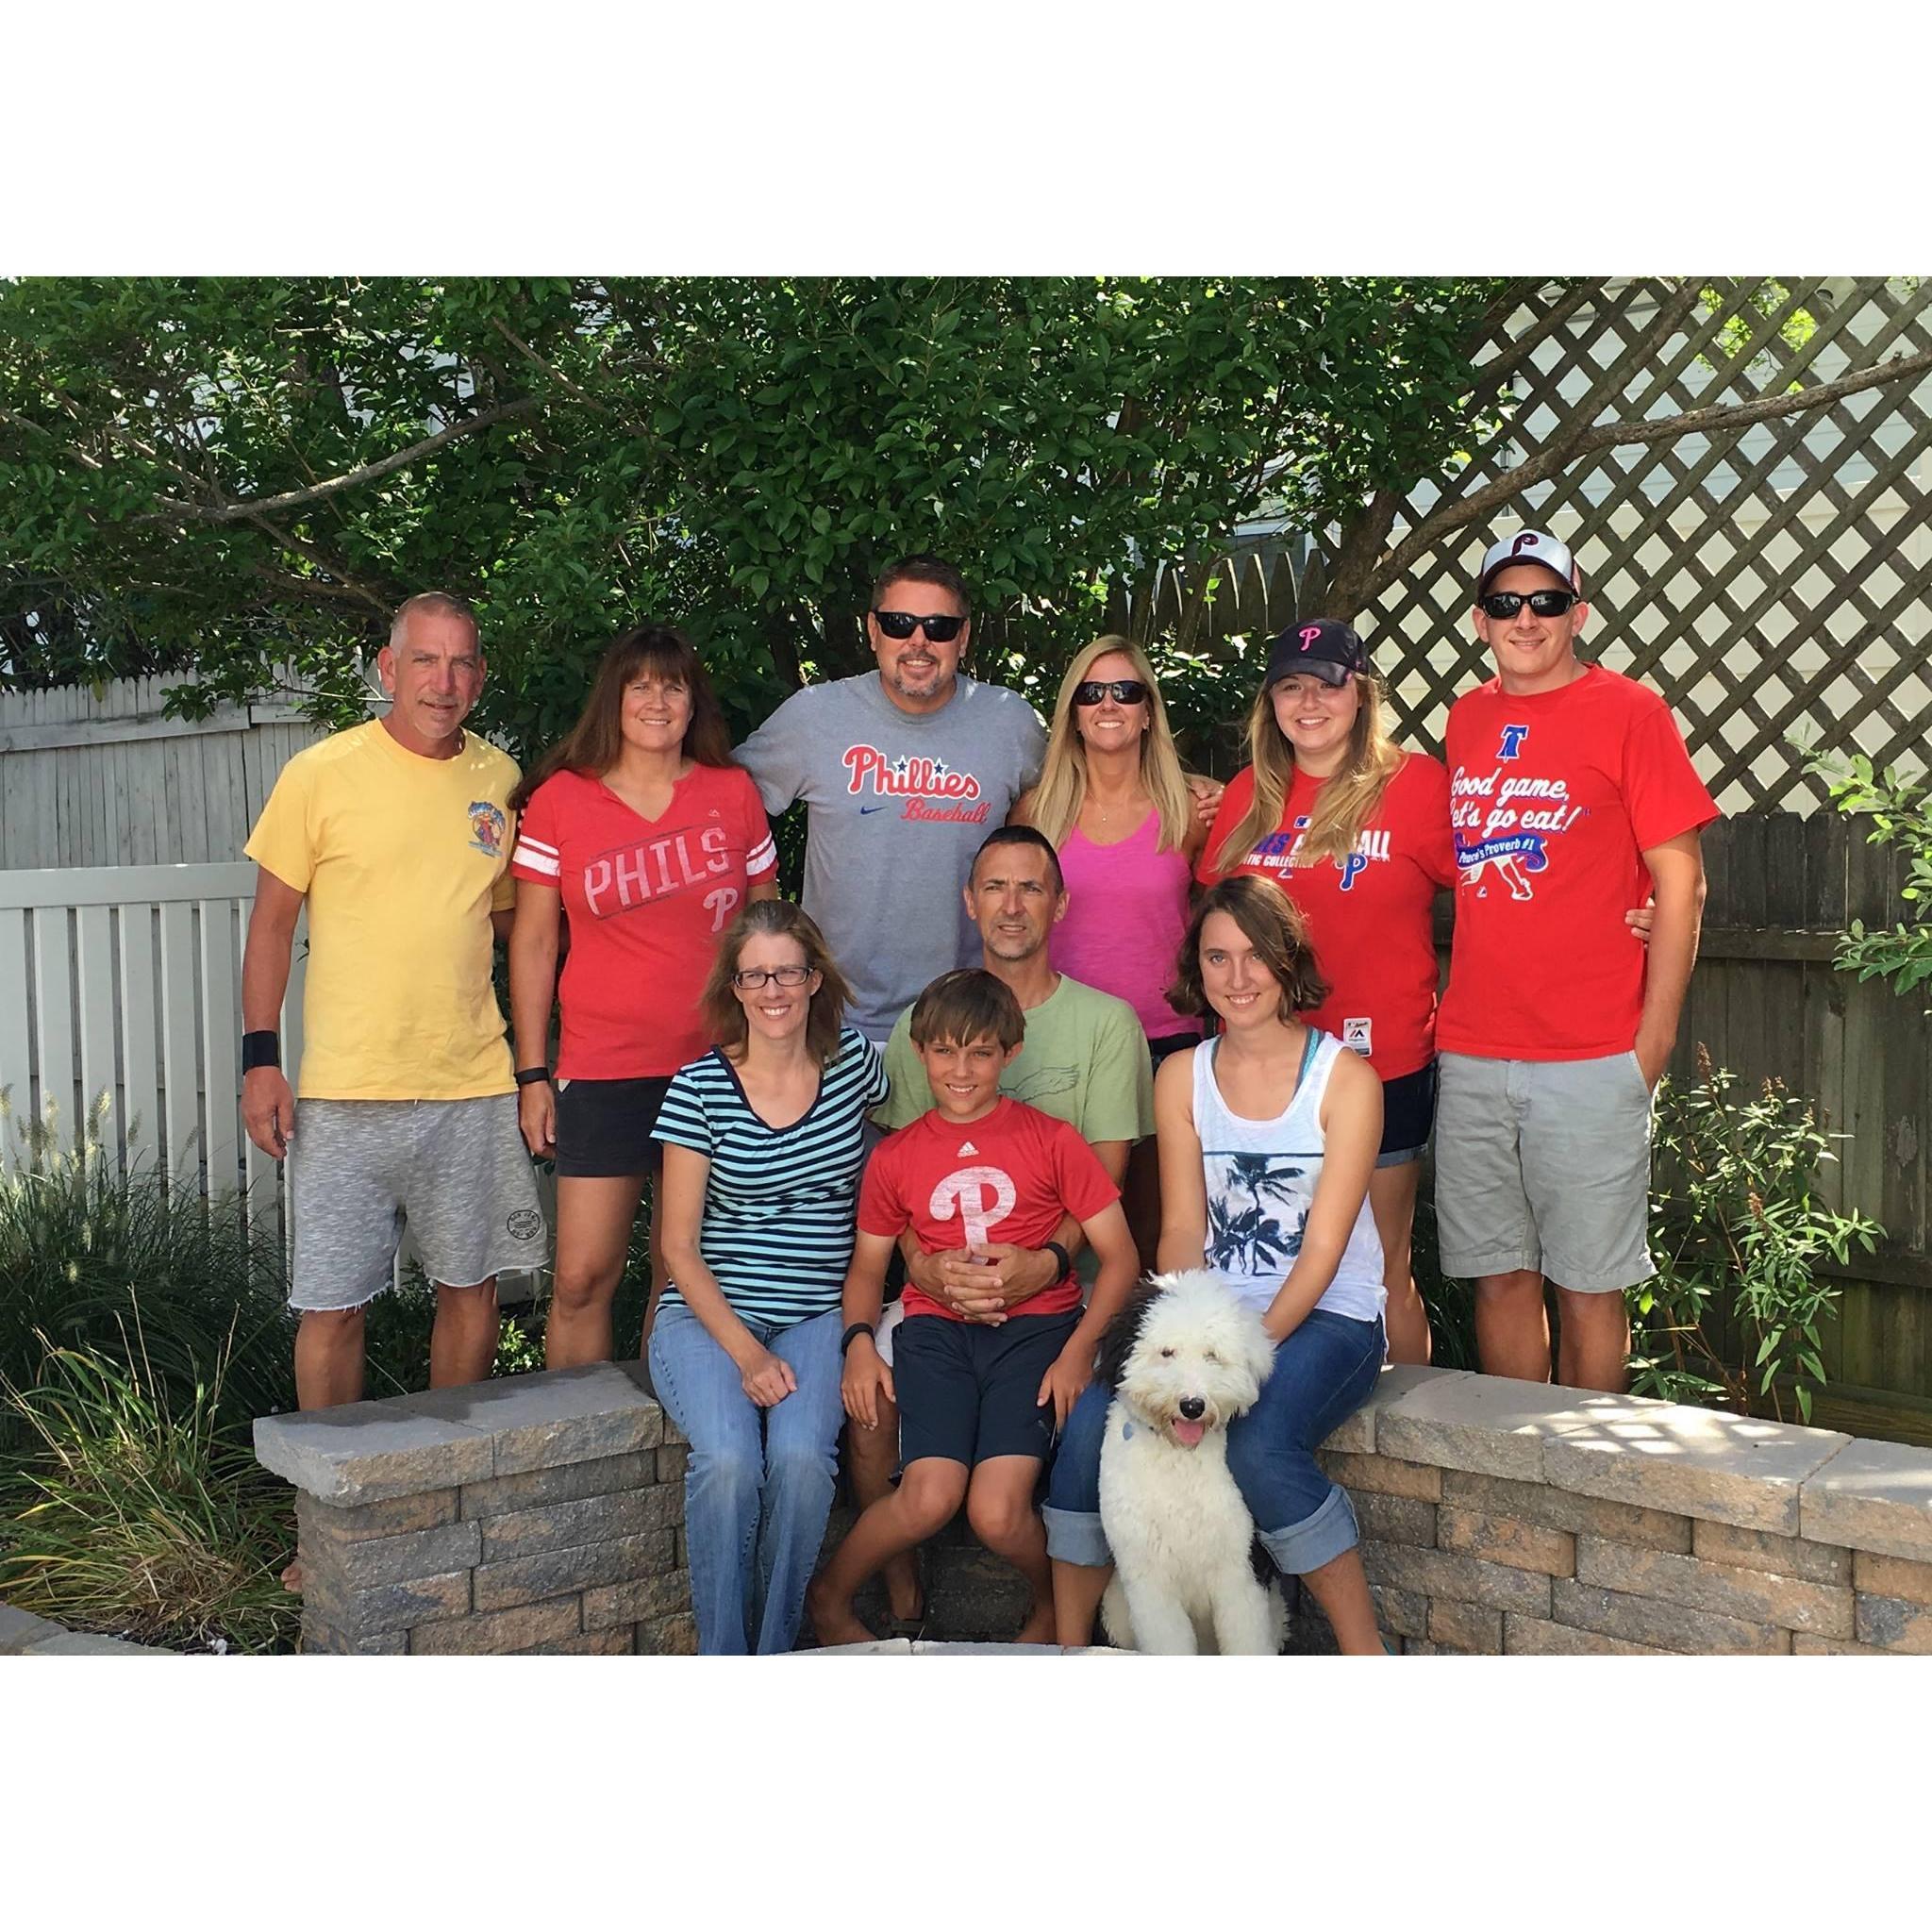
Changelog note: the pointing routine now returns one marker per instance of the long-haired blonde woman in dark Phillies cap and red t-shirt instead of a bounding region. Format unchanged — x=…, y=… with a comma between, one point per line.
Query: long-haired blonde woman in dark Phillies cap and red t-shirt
x=1357, y=832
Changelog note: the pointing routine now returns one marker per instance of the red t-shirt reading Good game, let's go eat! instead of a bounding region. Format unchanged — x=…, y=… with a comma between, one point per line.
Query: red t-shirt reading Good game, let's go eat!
x=1556, y=799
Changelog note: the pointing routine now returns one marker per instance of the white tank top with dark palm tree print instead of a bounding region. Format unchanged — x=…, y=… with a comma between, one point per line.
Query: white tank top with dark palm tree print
x=1261, y=1183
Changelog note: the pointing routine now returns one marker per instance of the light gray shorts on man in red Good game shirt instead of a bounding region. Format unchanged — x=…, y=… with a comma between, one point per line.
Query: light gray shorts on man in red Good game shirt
x=1545, y=1164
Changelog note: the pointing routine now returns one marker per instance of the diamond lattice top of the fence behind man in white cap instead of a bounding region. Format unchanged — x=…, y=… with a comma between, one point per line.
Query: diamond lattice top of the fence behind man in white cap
x=1769, y=584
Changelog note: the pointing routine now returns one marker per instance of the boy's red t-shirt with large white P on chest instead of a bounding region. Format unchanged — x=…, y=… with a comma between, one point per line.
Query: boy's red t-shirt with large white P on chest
x=1008, y=1178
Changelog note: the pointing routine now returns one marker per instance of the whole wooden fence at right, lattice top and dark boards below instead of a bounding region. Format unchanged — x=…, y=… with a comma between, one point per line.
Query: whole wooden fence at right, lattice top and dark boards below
x=1771, y=584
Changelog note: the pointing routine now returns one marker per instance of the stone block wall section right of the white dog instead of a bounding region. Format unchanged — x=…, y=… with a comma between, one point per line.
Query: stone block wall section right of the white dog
x=1514, y=1518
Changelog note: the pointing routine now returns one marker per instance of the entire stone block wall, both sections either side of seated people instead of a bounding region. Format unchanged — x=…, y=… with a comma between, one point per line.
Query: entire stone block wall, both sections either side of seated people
x=546, y=1516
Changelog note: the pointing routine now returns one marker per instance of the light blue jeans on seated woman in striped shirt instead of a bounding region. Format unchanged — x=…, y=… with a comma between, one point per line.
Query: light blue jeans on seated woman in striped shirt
x=760, y=1483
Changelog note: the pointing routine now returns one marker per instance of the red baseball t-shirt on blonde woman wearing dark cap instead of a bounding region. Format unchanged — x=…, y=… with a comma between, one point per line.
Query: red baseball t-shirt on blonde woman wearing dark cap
x=1371, y=915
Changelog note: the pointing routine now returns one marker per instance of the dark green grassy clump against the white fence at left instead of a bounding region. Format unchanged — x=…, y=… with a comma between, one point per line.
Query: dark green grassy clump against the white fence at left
x=82, y=1241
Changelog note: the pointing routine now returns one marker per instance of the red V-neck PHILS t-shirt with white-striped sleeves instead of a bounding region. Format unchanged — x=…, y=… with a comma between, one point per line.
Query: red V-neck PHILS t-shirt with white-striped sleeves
x=648, y=901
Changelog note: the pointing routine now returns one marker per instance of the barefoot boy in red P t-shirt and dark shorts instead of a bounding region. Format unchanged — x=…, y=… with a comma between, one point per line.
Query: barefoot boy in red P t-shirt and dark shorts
x=979, y=1398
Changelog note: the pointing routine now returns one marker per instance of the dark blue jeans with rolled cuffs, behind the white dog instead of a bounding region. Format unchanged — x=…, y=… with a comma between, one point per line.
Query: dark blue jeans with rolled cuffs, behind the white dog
x=1322, y=1377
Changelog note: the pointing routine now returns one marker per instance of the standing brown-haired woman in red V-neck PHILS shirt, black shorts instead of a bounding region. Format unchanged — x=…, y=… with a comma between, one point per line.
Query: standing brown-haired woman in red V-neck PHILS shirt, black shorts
x=642, y=834
